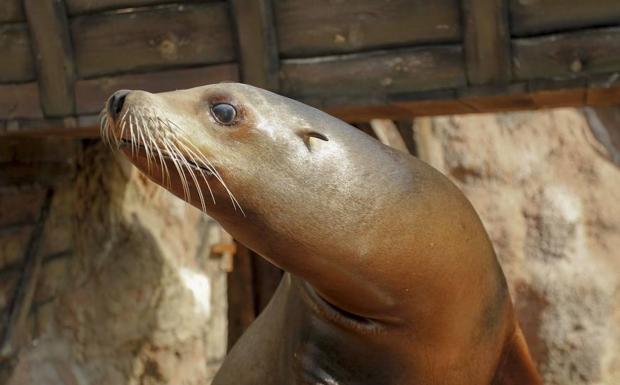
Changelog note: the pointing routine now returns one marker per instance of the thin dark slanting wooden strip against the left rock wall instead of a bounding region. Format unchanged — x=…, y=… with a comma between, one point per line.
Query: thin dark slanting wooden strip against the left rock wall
x=13, y=336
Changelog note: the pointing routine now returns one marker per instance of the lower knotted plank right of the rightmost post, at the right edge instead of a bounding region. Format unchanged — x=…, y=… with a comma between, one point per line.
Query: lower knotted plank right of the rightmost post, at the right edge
x=567, y=55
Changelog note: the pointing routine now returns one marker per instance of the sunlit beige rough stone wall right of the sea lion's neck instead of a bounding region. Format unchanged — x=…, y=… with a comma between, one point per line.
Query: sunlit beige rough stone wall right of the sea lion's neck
x=551, y=204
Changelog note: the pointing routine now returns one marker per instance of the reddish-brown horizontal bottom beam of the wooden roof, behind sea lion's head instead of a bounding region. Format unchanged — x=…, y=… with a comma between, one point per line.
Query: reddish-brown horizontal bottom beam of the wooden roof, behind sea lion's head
x=604, y=92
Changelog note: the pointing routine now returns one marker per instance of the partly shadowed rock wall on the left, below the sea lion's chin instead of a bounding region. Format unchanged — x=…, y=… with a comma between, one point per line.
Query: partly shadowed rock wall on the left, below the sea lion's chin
x=127, y=291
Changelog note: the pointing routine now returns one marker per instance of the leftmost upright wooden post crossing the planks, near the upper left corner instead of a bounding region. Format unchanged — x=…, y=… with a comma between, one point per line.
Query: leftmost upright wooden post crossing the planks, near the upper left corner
x=51, y=45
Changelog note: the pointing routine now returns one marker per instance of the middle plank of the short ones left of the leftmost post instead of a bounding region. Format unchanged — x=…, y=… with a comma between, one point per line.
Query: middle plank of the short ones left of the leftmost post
x=17, y=64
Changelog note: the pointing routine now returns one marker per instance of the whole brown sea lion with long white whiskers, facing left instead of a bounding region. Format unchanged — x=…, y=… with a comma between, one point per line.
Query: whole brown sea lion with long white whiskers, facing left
x=391, y=277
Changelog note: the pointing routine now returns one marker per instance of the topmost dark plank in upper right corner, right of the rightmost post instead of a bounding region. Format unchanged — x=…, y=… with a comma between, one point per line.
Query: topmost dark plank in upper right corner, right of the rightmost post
x=544, y=16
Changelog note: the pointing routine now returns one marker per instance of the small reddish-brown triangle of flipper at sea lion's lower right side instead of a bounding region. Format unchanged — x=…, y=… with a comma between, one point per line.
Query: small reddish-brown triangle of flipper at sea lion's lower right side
x=517, y=366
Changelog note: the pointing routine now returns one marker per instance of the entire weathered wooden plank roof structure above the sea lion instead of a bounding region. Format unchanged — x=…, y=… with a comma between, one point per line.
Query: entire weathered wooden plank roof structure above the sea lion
x=358, y=59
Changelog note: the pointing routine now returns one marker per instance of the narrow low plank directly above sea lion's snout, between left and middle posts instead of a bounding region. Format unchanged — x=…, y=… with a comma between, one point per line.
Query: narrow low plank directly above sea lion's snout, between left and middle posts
x=91, y=94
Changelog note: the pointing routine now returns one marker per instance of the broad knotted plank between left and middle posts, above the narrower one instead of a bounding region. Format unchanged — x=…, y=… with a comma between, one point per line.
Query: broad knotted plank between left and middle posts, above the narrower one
x=152, y=38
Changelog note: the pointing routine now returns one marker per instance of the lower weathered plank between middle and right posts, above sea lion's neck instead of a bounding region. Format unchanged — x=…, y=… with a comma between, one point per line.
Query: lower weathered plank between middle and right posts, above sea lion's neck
x=371, y=76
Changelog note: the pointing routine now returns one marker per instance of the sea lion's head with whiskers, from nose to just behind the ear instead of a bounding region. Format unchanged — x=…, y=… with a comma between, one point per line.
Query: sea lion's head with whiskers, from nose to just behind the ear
x=244, y=154
